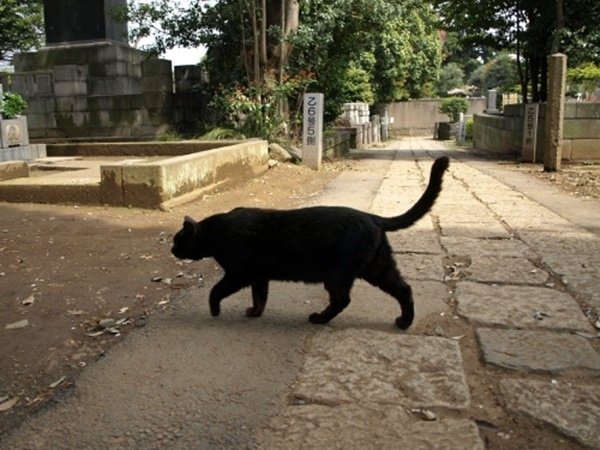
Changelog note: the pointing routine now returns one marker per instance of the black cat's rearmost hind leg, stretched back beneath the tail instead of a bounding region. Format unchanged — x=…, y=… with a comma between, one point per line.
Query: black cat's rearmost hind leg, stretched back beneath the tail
x=389, y=280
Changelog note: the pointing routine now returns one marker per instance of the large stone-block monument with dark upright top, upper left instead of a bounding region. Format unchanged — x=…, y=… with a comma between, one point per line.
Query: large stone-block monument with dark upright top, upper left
x=88, y=82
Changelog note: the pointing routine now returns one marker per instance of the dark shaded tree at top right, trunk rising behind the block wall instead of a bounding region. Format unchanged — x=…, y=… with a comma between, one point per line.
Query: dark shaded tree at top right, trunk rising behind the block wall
x=529, y=28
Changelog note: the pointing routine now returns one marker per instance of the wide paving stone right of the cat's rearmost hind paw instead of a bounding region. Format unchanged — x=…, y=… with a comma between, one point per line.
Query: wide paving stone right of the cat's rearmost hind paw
x=520, y=307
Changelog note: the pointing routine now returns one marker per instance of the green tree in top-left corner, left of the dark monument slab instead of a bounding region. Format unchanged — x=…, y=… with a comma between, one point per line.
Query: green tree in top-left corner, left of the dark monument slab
x=21, y=26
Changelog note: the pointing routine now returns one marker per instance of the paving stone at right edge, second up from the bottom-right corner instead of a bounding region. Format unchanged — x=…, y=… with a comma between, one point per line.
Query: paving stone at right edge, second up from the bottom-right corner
x=537, y=350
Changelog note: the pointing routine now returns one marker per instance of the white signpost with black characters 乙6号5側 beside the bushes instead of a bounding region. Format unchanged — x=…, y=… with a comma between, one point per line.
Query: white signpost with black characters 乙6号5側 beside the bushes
x=312, y=136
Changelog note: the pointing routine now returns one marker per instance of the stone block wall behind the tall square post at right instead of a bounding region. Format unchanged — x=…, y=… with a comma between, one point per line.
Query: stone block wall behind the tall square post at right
x=503, y=133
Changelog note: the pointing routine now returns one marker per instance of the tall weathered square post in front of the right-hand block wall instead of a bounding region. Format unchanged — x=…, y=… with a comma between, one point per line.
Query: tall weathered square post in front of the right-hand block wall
x=555, y=111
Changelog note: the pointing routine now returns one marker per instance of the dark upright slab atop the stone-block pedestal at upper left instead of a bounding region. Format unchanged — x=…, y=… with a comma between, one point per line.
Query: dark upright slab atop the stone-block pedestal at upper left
x=68, y=21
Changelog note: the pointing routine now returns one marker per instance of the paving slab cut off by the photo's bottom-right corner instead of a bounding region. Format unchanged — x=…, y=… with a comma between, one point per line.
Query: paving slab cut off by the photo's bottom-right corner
x=573, y=410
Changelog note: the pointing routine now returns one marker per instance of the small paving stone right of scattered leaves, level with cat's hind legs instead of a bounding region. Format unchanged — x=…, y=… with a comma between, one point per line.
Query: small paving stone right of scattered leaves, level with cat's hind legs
x=505, y=269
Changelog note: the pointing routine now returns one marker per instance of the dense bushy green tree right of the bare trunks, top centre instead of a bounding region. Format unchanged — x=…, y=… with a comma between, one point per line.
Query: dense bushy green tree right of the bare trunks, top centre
x=396, y=44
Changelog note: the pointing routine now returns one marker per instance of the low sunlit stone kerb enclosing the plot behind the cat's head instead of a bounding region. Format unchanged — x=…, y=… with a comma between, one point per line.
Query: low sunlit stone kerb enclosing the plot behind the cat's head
x=156, y=184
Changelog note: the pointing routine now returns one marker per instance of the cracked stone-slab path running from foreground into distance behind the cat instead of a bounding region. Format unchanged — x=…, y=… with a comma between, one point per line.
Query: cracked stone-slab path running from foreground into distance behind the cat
x=516, y=272
